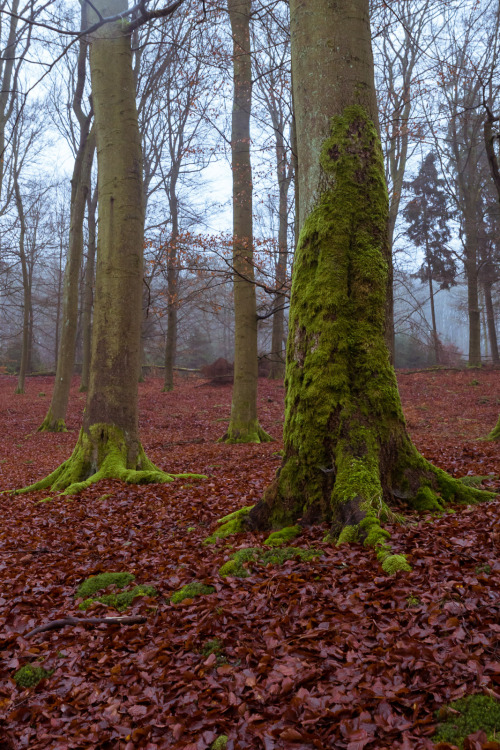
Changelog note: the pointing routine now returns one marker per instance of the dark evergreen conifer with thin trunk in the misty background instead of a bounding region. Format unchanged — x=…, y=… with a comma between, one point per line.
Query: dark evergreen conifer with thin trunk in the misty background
x=428, y=215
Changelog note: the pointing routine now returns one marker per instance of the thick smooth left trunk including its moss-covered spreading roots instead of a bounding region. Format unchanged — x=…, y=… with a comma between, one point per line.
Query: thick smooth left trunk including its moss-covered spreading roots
x=108, y=445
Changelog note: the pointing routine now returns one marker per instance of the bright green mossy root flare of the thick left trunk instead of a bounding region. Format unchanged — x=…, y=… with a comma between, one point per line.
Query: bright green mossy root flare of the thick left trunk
x=102, y=452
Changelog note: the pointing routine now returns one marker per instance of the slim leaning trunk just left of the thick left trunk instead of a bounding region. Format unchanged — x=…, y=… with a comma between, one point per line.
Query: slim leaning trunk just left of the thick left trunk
x=56, y=415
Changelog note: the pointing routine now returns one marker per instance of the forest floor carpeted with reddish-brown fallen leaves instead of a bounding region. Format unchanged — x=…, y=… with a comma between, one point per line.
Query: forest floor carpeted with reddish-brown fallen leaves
x=330, y=653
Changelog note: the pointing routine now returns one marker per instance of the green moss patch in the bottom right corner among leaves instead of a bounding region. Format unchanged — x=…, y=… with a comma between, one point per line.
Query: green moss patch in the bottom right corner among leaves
x=476, y=712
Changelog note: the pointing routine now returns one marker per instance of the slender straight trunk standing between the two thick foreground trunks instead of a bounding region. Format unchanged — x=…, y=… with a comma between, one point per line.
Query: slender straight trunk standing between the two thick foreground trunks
x=243, y=423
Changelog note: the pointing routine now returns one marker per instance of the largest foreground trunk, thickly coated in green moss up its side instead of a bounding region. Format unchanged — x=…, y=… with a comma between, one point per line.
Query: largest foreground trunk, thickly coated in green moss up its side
x=347, y=454
